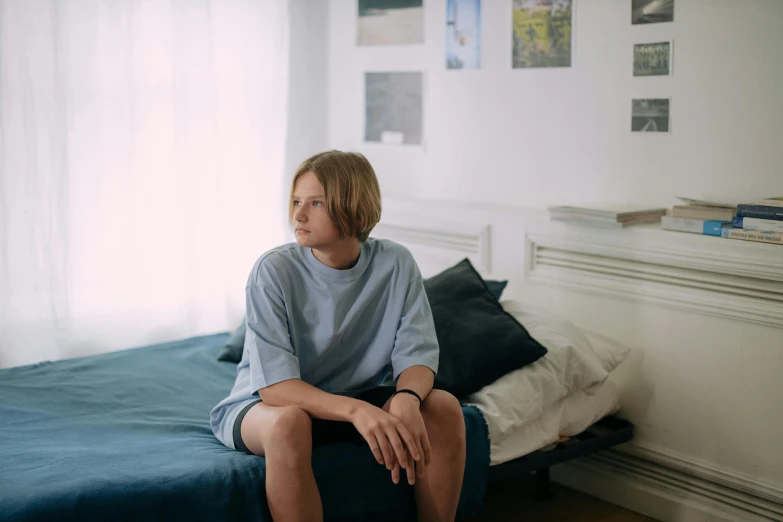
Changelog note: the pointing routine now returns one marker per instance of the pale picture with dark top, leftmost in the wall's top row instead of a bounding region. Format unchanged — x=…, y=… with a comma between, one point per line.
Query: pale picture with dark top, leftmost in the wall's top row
x=390, y=22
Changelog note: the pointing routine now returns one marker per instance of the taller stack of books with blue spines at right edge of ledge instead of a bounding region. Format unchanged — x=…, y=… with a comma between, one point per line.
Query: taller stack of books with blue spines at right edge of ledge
x=760, y=220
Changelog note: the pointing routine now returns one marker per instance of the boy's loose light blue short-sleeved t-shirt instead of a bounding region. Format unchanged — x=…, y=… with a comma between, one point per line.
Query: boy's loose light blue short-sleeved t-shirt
x=341, y=331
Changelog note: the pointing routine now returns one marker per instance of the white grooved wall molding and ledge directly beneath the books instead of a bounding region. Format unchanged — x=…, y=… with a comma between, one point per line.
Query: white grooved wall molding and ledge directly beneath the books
x=709, y=275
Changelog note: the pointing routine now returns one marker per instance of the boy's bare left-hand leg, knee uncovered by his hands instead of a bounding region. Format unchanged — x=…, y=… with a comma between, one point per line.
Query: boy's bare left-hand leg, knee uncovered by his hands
x=284, y=436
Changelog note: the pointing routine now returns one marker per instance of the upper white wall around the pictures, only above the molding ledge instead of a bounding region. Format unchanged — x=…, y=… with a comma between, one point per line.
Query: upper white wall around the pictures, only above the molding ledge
x=542, y=136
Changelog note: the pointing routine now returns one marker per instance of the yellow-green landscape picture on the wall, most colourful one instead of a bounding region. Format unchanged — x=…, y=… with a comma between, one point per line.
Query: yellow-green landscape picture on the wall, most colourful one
x=541, y=33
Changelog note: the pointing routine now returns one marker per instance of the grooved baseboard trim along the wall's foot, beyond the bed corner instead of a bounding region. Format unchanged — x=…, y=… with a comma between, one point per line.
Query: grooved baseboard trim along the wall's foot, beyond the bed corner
x=670, y=488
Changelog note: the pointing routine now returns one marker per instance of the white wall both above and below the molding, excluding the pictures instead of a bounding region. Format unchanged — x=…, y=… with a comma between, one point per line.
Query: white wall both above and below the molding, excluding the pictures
x=530, y=138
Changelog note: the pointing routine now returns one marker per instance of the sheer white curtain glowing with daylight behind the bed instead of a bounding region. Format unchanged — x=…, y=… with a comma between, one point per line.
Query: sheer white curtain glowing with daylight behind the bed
x=142, y=150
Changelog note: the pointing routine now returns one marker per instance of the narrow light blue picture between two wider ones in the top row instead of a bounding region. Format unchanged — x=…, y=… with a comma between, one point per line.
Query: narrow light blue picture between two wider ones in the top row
x=463, y=34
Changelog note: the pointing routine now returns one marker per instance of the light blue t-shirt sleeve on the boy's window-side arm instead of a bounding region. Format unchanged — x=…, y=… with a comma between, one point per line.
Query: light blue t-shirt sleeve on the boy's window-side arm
x=267, y=340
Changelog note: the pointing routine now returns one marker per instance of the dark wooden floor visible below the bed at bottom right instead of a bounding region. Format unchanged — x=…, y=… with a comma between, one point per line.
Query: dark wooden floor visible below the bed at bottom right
x=510, y=502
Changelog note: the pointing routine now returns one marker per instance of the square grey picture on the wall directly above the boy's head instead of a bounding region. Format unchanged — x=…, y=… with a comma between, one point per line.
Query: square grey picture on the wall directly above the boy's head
x=393, y=107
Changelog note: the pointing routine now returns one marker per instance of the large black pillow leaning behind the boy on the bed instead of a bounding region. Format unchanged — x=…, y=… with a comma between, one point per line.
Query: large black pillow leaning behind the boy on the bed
x=479, y=341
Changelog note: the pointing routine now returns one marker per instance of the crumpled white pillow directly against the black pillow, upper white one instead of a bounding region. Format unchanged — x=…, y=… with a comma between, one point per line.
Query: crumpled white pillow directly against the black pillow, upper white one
x=571, y=363
